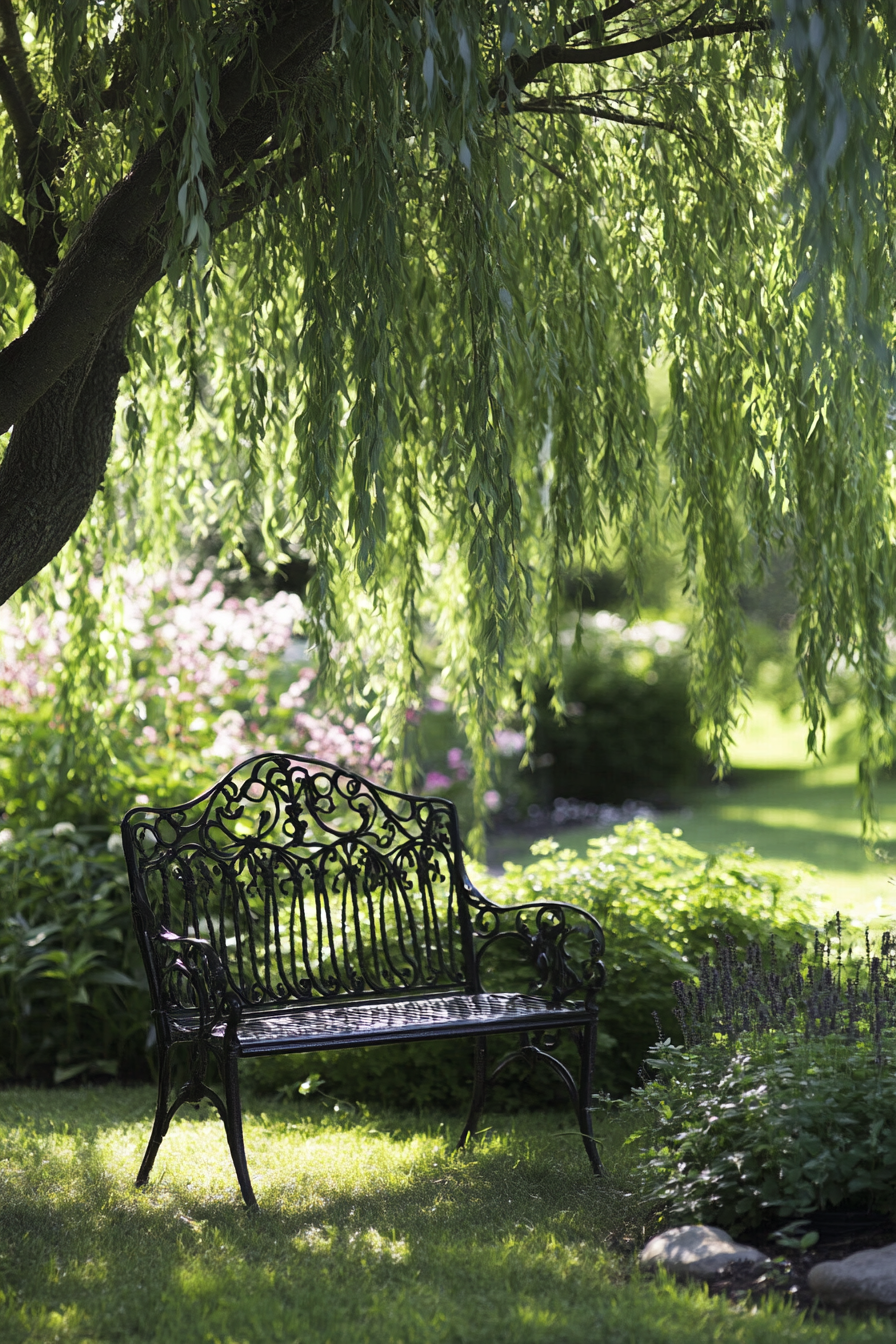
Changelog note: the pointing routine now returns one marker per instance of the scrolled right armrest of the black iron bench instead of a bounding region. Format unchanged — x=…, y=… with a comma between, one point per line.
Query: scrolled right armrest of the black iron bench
x=562, y=943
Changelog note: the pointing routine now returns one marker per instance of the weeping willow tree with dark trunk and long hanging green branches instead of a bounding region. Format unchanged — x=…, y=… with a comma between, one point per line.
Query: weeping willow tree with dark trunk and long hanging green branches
x=385, y=279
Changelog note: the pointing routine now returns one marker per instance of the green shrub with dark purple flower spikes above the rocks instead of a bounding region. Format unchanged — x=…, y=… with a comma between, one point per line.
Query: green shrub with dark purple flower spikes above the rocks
x=784, y=1099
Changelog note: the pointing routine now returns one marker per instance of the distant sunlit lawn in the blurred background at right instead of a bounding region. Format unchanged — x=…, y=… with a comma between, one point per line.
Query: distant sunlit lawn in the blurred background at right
x=789, y=810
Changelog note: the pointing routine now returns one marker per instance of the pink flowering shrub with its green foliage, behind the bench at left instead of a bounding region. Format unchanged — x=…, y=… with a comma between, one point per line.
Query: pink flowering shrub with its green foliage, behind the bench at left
x=209, y=681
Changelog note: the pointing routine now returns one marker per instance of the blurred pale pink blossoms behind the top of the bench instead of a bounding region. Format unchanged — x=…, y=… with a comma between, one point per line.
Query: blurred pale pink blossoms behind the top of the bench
x=204, y=661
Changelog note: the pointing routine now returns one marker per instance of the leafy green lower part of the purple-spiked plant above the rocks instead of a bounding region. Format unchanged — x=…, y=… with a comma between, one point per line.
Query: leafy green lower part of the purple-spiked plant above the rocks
x=778, y=1127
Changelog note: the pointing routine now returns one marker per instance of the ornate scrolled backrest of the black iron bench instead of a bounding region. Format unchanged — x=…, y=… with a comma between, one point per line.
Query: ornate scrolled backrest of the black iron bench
x=310, y=882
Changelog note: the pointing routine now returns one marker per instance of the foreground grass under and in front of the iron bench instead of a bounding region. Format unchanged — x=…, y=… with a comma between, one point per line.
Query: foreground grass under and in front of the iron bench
x=371, y=1230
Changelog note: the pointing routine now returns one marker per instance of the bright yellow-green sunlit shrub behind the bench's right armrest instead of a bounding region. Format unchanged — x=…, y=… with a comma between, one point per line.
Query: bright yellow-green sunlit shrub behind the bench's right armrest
x=662, y=904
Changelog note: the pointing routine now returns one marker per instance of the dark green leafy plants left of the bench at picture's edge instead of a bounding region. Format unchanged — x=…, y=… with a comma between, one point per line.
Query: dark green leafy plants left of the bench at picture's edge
x=72, y=982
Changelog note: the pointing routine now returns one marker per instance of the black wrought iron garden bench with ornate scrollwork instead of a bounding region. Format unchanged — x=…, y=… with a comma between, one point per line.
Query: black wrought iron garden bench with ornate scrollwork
x=296, y=907
